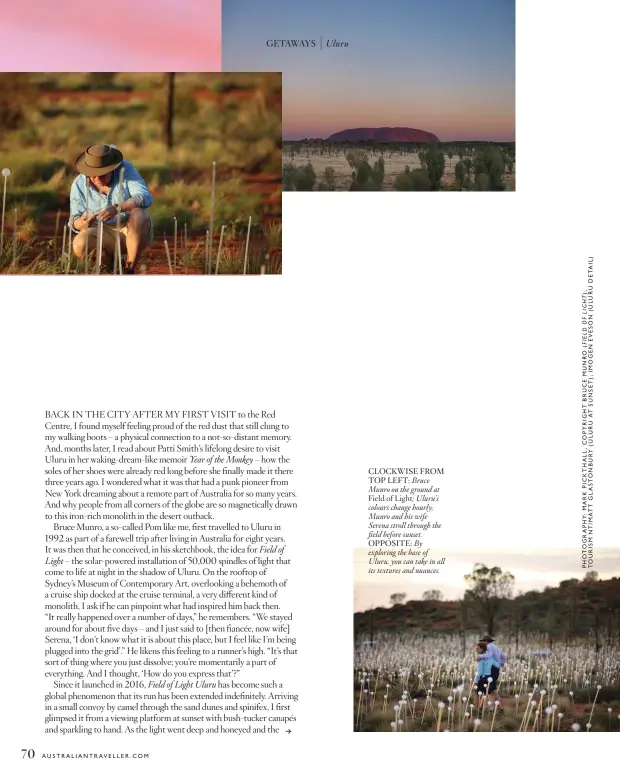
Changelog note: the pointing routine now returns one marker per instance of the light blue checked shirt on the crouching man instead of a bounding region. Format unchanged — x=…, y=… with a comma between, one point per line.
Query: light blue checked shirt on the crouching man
x=134, y=187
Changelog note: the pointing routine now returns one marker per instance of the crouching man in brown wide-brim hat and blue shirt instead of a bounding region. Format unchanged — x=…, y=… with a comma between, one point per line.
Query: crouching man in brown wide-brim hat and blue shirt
x=100, y=169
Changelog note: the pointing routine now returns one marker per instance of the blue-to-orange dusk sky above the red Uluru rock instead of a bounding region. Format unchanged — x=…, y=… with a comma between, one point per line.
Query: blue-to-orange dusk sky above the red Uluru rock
x=446, y=66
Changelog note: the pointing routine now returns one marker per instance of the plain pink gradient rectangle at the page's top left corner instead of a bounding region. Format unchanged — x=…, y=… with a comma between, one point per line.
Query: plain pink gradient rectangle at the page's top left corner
x=141, y=35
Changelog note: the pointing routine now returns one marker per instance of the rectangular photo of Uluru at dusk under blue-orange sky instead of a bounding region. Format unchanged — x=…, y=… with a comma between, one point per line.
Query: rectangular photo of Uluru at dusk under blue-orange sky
x=398, y=95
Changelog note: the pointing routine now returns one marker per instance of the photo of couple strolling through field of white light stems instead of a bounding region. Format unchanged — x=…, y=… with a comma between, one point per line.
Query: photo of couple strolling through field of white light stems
x=529, y=643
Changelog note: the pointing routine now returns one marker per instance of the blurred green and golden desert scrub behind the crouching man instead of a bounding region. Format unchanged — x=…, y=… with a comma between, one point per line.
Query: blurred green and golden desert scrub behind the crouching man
x=46, y=121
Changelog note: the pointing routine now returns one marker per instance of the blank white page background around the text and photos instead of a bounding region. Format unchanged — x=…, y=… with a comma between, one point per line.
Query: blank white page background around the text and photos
x=407, y=329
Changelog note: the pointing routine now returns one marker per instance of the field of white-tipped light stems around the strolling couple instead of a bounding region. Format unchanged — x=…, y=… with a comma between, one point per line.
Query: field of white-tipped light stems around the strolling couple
x=403, y=682
